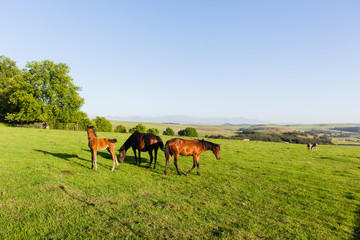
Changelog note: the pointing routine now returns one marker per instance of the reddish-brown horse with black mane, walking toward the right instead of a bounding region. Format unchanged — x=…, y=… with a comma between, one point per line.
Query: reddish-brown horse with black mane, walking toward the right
x=195, y=148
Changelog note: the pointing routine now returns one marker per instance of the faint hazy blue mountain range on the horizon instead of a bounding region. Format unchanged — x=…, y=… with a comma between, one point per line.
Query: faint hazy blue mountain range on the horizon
x=188, y=120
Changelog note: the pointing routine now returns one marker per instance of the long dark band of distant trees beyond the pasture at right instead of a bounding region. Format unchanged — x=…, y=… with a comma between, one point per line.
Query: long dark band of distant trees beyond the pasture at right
x=291, y=137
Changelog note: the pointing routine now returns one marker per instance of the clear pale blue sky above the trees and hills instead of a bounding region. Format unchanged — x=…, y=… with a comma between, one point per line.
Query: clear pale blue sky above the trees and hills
x=276, y=61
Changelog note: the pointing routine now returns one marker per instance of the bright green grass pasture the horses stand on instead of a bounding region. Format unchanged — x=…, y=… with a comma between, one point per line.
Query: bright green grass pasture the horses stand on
x=256, y=191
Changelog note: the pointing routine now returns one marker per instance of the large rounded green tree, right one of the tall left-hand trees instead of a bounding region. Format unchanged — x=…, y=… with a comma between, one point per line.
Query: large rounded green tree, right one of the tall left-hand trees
x=54, y=91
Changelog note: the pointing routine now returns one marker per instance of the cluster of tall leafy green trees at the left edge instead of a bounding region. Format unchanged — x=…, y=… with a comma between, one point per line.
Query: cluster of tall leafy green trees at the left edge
x=42, y=92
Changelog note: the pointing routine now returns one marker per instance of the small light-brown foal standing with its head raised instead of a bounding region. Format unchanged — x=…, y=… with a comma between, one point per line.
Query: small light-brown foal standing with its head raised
x=96, y=144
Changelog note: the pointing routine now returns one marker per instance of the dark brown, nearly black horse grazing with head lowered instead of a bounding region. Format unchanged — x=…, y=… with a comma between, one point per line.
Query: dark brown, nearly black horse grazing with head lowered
x=142, y=142
